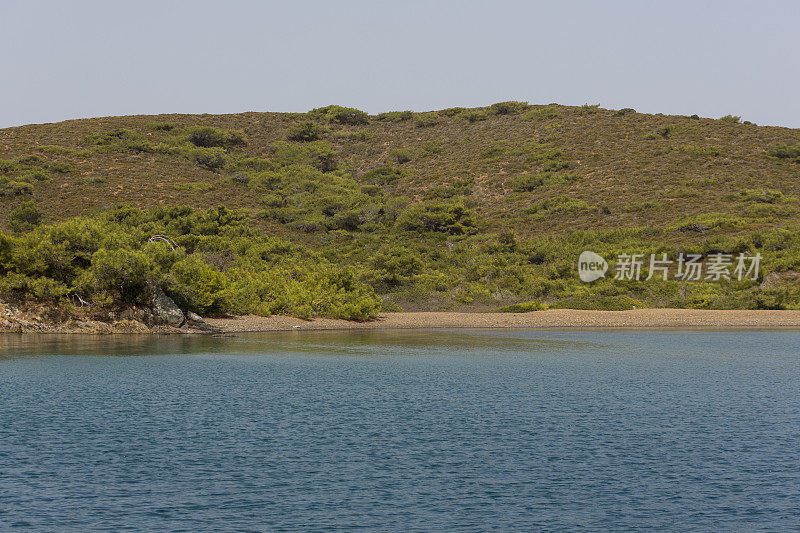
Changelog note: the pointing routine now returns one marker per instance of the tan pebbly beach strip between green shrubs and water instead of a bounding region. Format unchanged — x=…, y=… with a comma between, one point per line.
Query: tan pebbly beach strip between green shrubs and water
x=552, y=318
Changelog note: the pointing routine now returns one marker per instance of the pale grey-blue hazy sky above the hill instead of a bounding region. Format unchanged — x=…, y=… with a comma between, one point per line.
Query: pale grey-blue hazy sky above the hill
x=63, y=60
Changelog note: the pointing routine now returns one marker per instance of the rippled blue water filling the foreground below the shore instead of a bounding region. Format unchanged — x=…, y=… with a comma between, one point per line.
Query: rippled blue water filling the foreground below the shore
x=402, y=431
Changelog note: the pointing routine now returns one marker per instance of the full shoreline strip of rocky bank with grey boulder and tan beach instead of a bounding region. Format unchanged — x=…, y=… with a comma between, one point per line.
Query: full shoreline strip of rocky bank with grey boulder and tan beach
x=162, y=316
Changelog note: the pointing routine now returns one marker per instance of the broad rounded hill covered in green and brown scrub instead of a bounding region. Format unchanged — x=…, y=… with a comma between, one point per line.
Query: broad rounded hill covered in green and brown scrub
x=334, y=212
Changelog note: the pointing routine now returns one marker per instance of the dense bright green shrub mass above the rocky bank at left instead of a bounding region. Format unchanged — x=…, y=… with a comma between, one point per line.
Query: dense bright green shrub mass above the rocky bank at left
x=113, y=259
